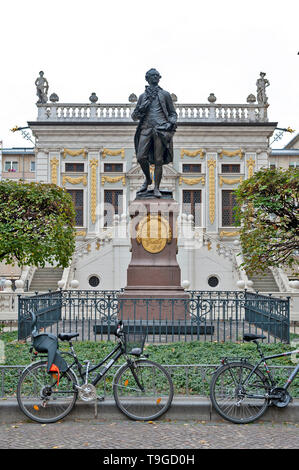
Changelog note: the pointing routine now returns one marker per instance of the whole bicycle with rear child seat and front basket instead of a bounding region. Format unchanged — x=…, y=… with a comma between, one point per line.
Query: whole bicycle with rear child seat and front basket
x=142, y=389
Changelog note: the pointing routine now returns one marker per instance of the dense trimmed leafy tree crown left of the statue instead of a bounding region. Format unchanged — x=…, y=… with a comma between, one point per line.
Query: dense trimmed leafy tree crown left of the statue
x=36, y=224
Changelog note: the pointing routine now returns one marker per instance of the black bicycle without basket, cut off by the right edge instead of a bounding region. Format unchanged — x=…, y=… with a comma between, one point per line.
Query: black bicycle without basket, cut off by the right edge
x=241, y=393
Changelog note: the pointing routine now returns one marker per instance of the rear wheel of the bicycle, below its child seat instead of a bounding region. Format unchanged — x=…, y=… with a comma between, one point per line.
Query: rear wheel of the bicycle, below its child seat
x=42, y=398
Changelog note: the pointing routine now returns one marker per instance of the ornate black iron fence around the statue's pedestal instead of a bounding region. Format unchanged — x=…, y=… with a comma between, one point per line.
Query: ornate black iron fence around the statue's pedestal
x=204, y=315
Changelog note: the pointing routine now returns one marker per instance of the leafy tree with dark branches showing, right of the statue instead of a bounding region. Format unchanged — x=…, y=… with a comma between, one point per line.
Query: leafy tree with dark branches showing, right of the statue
x=269, y=214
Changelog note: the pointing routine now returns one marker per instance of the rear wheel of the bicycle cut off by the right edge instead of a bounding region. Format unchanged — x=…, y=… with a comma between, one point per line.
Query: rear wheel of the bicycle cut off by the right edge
x=238, y=394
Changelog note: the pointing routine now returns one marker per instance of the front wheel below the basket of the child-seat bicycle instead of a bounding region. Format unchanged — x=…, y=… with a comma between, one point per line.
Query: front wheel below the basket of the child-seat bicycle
x=144, y=394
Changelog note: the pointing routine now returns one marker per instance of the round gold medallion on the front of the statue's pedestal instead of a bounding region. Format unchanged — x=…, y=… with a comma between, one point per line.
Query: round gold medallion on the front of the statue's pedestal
x=153, y=232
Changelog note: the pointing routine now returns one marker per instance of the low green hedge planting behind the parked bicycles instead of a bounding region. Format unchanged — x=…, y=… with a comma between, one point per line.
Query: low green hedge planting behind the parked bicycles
x=208, y=353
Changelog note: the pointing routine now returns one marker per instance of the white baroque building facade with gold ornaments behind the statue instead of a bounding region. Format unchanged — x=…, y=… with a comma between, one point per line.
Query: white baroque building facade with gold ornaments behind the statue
x=89, y=150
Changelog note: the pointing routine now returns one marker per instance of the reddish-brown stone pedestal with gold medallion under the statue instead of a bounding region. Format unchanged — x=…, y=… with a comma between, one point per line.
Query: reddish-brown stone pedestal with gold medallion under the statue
x=153, y=288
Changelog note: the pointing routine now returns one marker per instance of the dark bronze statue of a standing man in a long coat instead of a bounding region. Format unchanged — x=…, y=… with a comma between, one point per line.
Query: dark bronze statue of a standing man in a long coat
x=157, y=124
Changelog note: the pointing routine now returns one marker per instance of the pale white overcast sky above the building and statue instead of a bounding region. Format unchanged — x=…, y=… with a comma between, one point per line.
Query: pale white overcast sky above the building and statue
x=198, y=47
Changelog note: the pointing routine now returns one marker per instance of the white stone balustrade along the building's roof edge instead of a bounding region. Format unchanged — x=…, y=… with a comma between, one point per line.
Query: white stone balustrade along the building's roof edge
x=111, y=112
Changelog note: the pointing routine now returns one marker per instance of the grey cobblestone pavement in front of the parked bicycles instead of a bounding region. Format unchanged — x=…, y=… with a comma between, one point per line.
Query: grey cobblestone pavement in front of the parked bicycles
x=148, y=435
